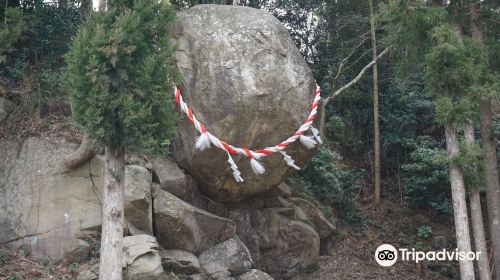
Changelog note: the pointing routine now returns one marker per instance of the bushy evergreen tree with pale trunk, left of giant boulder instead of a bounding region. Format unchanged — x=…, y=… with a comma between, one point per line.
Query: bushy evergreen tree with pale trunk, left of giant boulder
x=120, y=76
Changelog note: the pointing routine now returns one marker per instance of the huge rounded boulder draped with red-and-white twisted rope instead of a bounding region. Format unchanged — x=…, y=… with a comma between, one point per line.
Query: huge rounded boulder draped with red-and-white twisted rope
x=248, y=83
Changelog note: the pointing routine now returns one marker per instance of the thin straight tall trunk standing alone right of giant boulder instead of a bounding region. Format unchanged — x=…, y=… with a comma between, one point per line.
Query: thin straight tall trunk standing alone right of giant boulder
x=376, y=130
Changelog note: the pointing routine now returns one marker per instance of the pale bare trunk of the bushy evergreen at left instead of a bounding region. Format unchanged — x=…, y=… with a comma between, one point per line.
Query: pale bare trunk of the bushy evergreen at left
x=112, y=215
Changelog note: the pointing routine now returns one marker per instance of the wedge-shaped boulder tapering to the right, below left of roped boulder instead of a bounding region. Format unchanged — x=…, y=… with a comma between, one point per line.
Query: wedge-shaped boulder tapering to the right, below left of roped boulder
x=180, y=225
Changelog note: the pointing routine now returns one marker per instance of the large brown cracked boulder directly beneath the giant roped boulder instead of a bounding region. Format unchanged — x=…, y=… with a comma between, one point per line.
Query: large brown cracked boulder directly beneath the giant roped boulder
x=278, y=244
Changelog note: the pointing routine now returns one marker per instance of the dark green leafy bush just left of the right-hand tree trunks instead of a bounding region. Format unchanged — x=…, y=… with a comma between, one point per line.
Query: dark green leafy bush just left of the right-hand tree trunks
x=425, y=177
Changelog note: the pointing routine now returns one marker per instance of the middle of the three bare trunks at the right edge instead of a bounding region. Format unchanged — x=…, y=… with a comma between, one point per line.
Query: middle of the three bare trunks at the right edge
x=477, y=218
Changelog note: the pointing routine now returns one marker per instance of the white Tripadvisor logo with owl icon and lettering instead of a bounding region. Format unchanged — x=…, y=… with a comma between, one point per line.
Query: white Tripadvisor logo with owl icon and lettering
x=387, y=255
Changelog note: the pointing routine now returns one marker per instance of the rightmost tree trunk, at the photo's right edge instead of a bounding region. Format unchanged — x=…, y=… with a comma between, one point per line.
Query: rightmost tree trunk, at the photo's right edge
x=490, y=158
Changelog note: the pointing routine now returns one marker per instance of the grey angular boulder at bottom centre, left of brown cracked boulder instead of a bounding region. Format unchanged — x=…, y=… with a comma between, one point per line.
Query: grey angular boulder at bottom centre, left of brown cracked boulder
x=229, y=256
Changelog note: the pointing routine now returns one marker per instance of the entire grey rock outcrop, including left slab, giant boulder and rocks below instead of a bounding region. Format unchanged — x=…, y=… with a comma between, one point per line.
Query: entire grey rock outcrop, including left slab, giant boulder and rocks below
x=249, y=85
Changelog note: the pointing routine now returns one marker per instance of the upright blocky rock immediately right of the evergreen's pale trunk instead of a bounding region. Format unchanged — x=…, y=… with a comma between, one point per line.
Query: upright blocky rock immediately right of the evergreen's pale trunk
x=138, y=205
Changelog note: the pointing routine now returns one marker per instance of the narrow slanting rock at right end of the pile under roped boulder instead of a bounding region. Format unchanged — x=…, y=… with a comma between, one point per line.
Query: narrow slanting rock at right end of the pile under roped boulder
x=320, y=223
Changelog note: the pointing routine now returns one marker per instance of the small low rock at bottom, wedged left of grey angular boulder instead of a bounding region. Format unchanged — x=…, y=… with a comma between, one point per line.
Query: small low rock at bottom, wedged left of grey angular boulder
x=180, y=262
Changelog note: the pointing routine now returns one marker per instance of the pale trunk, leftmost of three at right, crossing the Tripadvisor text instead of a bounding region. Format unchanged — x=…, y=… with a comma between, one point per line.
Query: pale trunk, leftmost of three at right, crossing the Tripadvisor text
x=459, y=203
